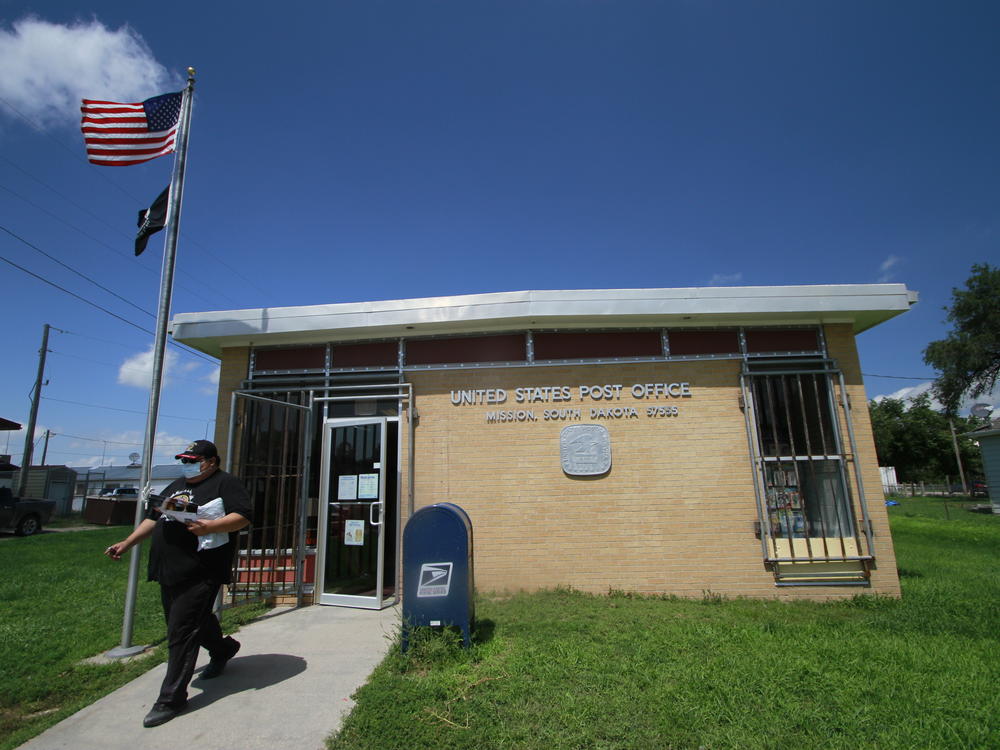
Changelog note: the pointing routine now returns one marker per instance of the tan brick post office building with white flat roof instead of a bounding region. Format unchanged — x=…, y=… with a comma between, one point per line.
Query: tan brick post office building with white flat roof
x=675, y=441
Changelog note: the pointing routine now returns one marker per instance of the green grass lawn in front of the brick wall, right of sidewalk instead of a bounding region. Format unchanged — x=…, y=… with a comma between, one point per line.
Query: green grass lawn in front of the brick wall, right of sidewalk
x=561, y=669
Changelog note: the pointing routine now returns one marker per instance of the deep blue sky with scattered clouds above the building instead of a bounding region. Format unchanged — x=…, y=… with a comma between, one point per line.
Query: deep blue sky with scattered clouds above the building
x=350, y=151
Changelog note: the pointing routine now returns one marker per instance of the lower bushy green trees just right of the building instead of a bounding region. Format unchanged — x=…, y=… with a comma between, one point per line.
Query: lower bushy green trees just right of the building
x=916, y=439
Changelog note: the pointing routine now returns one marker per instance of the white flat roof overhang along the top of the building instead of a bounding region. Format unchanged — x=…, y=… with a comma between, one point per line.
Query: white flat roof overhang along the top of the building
x=861, y=305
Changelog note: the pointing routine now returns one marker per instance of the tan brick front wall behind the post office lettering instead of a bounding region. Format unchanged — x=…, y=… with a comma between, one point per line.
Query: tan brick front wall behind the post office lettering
x=675, y=513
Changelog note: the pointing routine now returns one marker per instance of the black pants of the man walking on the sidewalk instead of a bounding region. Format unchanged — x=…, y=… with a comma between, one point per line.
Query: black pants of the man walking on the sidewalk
x=190, y=624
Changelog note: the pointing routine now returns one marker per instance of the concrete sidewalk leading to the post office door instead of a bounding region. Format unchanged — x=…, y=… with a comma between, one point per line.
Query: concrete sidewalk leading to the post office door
x=289, y=686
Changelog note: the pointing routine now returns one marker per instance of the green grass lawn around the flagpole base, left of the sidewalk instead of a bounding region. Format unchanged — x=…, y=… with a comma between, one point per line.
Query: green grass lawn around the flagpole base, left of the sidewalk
x=61, y=601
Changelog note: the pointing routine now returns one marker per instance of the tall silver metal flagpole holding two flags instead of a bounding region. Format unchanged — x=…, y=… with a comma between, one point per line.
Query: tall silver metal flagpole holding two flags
x=159, y=346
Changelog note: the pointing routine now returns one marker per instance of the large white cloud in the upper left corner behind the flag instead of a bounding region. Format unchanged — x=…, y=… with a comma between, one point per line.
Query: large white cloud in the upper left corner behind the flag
x=48, y=68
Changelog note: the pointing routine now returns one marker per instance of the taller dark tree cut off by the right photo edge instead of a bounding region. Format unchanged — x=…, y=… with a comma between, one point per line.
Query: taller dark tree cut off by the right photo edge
x=969, y=358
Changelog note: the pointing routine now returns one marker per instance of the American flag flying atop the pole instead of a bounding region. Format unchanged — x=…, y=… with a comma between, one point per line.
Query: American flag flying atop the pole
x=118, y=135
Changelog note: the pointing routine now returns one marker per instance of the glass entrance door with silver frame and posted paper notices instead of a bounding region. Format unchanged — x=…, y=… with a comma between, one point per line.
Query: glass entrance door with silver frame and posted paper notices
x=358, y=512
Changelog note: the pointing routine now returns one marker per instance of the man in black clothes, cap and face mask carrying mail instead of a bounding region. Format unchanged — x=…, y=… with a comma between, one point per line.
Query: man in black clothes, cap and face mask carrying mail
x=191, y=560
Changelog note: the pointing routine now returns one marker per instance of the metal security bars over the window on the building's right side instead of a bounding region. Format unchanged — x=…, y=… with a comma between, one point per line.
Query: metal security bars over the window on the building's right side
x=807, y=516
